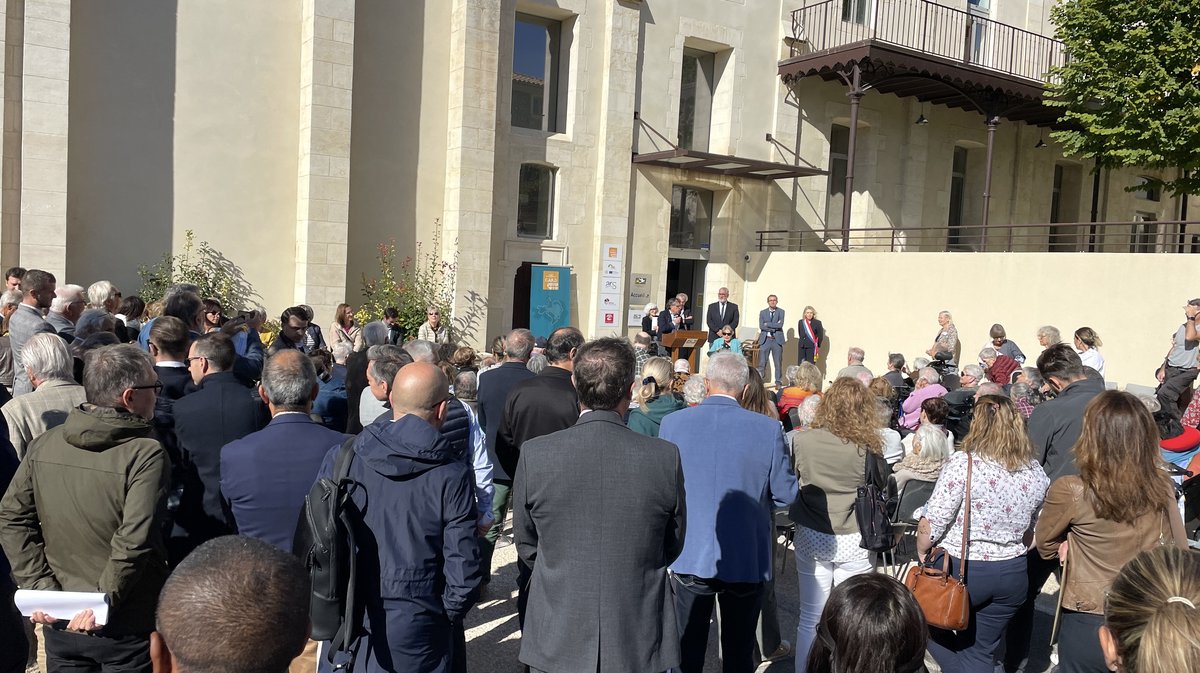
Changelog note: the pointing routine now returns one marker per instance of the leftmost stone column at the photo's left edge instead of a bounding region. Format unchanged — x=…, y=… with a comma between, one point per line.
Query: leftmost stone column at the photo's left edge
x=40, y=175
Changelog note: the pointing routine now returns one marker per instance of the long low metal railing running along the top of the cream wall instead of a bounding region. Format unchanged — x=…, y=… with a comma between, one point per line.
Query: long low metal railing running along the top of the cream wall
x=1165, y=237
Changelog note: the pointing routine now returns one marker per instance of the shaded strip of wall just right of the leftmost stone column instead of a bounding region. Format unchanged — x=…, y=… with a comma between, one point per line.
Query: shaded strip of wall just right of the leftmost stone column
x=121, y=165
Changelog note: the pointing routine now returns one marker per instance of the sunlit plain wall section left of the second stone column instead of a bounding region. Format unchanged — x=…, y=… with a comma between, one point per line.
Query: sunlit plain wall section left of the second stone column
x=237, y=142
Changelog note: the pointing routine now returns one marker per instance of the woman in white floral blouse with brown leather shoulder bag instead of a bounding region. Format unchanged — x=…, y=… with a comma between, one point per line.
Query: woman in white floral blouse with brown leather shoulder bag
x=1007, y=490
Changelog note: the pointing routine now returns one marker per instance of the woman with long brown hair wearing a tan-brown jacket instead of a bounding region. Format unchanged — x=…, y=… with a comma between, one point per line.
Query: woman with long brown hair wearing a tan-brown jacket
x=1120, y=504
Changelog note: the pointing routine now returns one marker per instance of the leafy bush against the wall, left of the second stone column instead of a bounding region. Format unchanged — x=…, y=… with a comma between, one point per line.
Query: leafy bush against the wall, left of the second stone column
x=203, y=267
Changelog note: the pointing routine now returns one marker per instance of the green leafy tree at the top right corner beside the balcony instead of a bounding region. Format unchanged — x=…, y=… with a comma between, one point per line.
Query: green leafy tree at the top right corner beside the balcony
x=1130, y=89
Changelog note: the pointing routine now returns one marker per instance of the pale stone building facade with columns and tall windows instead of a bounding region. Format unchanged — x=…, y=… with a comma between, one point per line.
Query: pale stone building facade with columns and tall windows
x=296, y=136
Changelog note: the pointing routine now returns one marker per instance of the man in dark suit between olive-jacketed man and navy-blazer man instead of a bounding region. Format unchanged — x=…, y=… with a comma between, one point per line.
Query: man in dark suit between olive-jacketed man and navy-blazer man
x=220, y=412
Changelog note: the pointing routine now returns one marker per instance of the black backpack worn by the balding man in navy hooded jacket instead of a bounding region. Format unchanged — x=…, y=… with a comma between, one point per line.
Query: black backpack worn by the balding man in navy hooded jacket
x=325, y=542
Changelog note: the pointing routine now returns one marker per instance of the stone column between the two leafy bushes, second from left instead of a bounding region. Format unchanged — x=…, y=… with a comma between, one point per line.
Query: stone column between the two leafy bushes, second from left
x=323, y=195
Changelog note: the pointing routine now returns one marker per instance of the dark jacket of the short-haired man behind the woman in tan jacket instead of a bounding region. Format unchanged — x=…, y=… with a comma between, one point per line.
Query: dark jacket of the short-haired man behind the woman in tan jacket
x=1057, y=424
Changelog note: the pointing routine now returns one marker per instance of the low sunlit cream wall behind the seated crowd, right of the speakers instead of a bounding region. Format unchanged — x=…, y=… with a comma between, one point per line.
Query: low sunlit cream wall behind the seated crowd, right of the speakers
x=890, y=303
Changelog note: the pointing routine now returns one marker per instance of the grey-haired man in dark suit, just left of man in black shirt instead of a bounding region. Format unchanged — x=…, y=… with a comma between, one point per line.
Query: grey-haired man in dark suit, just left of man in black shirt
x=494, y=390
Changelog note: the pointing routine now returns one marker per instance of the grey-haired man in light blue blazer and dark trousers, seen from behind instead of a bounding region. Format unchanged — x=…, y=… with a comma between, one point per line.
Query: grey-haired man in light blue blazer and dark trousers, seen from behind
x=736, y=472
